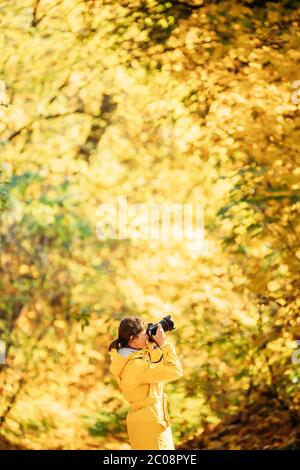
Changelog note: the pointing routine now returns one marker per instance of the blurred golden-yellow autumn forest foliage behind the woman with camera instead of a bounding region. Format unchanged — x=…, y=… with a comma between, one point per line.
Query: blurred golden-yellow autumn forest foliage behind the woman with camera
x=159, y=102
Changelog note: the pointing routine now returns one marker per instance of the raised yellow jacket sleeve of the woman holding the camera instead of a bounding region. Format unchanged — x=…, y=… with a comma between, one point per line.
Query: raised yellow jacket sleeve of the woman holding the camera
x=168, y=369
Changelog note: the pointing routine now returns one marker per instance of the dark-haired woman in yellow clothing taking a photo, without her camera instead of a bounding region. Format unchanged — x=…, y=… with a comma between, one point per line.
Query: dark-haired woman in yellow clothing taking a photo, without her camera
x=140, y=370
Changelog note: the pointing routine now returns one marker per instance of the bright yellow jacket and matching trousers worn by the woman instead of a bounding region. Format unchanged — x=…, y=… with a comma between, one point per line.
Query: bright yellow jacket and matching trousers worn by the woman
x=141, y=382
